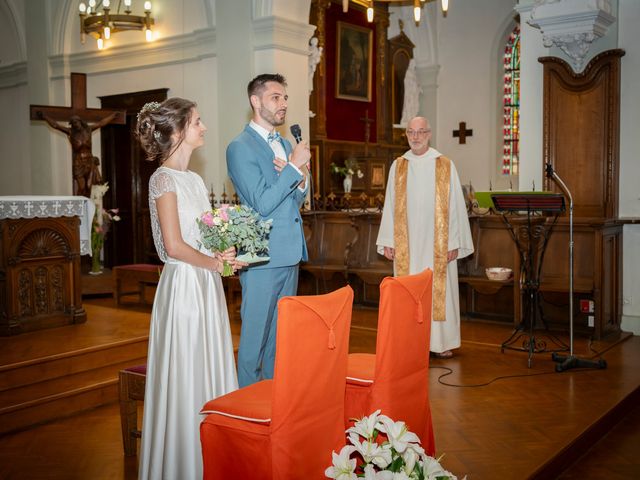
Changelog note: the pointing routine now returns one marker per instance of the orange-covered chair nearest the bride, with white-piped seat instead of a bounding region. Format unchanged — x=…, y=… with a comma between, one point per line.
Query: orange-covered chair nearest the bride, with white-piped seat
x=287, y=427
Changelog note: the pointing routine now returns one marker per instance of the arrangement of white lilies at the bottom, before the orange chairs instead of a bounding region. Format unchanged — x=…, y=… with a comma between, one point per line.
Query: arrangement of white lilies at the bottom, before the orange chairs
x=382, y=449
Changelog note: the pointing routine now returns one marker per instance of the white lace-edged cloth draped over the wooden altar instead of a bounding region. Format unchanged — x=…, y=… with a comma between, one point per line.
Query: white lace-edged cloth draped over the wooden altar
x=42, y=206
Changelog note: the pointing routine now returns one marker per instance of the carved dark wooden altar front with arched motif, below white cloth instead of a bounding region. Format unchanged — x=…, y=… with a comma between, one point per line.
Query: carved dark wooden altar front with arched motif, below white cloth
x=39, y=274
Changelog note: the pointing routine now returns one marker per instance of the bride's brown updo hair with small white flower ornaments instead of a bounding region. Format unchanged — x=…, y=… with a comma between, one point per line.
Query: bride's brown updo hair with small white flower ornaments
x=158, y=123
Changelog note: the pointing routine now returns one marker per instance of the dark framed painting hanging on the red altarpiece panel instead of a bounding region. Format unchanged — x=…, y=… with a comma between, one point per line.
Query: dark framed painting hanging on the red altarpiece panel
x=354, y=62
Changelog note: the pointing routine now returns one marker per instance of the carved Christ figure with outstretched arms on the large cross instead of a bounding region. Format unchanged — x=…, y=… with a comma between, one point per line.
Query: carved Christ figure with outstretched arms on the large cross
x=86, y=166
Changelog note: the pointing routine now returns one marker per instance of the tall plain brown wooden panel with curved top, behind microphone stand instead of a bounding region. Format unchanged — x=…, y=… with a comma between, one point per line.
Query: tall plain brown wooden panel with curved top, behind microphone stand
x=581, y=131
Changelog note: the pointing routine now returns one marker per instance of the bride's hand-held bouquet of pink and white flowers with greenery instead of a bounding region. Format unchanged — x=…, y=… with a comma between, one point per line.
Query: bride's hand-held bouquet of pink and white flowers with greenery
x=239, y=226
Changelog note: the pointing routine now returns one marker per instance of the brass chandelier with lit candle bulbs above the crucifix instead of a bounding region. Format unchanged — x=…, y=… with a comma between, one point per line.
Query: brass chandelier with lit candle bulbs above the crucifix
x=97, y=20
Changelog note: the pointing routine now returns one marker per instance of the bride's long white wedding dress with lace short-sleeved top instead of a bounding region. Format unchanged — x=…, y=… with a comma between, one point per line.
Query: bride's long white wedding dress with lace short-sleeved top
x=190, y=358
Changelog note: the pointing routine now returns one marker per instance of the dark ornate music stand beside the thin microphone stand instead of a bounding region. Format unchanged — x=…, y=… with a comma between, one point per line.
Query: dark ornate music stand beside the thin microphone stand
x=531, y=235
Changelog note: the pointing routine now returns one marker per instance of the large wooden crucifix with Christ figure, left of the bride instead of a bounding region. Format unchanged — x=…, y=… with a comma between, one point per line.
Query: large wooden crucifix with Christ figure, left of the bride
x=81, y=121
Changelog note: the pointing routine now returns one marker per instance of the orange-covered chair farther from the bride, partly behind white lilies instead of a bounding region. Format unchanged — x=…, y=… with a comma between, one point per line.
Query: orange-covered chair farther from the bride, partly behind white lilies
x=396, y=379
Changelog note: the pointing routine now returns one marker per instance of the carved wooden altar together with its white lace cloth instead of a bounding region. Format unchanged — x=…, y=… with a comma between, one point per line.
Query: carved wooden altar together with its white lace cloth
x=40, y=248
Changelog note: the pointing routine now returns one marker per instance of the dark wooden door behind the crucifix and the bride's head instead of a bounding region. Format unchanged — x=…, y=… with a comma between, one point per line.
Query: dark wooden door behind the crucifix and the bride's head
x=125, y=168
